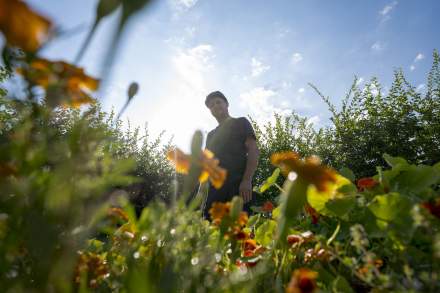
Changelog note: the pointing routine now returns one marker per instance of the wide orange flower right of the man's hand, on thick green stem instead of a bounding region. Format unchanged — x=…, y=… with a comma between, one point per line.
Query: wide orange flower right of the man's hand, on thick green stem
x=309, y=169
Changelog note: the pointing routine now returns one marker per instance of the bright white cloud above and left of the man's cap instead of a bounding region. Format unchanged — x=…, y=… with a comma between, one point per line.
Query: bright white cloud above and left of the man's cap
x=192, y=63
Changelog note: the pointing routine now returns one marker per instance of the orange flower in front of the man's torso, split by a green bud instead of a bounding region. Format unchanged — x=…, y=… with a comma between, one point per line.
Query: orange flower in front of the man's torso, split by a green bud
x=209, y=164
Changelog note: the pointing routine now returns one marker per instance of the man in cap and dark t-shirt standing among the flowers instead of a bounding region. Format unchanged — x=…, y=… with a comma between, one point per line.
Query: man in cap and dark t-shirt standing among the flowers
x=233, y=142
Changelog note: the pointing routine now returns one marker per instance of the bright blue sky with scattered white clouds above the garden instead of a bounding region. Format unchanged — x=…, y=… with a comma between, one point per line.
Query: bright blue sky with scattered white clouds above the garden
x=261, y=54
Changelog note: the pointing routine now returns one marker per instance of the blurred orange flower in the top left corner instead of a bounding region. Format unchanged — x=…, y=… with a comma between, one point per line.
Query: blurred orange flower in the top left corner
x=22, y=27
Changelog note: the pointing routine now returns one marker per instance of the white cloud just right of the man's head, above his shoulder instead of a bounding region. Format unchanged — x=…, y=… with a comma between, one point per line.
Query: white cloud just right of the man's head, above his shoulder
x=259, y=104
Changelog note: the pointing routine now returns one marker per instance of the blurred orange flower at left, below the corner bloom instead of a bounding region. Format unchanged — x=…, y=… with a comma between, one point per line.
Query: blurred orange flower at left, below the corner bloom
x=65, y=84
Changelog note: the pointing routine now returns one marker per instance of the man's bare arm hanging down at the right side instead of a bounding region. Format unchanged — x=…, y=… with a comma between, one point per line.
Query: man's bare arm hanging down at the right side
x=251, y=166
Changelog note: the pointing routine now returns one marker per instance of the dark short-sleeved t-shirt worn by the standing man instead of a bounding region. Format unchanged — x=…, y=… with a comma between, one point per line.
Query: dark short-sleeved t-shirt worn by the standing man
x=227, y=142
